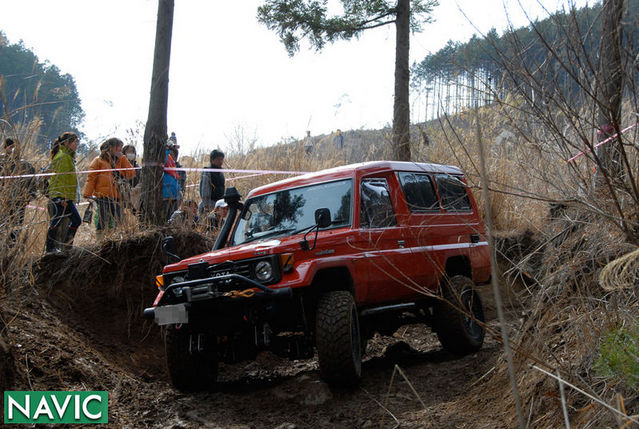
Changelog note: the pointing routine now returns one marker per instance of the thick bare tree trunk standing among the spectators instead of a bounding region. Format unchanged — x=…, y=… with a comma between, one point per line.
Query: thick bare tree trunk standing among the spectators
x=155, y=133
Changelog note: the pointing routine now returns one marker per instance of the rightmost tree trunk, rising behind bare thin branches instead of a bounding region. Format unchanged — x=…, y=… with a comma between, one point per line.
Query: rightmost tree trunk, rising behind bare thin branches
x=610, y=92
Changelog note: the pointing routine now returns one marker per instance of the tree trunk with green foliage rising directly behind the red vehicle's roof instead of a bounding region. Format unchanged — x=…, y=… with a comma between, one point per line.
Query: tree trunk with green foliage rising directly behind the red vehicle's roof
x=401, y=109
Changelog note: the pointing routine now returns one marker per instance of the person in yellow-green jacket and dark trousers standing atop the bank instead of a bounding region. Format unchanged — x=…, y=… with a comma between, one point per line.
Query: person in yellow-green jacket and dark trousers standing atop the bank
x=63, y=192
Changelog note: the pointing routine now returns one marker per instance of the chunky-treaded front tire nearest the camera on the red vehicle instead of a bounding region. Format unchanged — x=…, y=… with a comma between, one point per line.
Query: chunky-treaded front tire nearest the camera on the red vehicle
x=338, y=339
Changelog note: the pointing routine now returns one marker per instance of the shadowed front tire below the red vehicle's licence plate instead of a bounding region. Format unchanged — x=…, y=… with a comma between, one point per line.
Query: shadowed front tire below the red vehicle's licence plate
x=188, y=370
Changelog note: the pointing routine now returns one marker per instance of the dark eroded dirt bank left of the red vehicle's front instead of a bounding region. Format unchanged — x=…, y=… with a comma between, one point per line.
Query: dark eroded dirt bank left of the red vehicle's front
x=78, y=321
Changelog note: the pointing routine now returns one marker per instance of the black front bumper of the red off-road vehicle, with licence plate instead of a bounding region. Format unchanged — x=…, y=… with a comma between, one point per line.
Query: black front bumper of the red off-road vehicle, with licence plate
x=208, y=289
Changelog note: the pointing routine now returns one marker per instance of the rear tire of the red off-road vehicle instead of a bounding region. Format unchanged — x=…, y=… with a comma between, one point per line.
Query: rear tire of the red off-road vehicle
x=459, y=333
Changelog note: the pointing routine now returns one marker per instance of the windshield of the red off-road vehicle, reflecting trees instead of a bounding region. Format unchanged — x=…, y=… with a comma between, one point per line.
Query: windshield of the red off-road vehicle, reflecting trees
x=293, y=210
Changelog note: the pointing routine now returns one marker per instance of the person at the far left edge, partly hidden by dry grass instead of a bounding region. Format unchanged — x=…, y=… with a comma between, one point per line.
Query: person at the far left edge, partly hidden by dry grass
x=16, y=193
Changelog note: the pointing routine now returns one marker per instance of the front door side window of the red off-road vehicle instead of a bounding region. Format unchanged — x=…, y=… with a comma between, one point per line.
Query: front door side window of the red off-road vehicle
x=376, y=206
